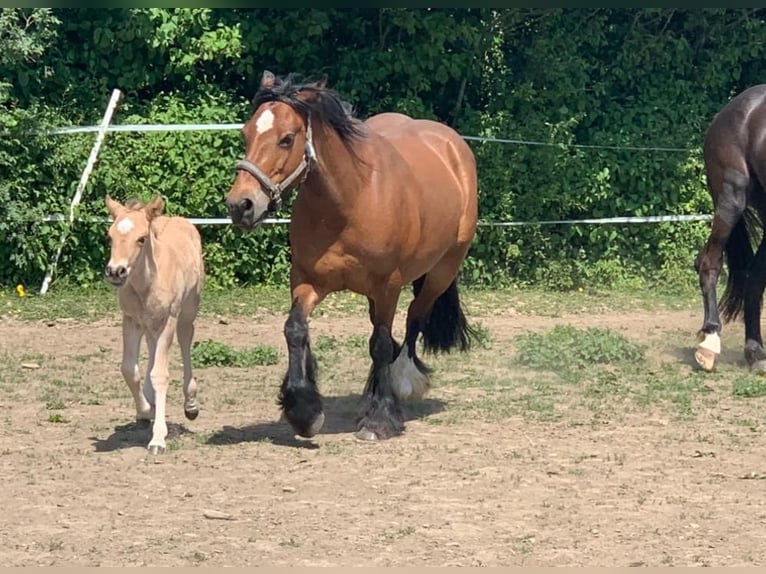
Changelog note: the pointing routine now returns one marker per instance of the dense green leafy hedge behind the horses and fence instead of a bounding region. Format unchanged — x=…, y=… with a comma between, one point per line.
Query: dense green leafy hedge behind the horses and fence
x=595, y=77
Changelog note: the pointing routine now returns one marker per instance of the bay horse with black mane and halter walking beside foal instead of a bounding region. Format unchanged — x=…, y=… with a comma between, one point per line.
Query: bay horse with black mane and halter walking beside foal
x=381, y=204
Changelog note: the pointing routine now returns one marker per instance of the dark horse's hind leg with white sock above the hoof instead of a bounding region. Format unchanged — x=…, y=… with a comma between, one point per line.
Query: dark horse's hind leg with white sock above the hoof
x=729, y=188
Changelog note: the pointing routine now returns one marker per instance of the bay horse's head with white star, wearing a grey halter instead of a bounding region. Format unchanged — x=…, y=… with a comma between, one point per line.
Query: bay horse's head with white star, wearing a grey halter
x=278, y=150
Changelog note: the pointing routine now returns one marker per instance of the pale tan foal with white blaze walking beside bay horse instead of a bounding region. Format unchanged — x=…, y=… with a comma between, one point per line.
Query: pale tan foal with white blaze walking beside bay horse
x=156, y=264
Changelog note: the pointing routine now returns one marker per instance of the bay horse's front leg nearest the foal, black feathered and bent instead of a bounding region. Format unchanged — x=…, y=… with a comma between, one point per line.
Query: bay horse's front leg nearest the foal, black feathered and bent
x=299, y=396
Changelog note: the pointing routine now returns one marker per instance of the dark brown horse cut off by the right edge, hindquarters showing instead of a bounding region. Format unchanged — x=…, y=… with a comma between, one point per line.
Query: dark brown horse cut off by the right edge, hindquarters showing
x=735, y=167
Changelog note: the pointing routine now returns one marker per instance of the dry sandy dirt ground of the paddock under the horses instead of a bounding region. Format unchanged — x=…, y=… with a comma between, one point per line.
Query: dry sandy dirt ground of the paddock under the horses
x=643, y=489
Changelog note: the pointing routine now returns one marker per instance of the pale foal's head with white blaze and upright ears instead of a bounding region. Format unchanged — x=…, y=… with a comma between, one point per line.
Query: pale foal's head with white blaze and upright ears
x=128, y=235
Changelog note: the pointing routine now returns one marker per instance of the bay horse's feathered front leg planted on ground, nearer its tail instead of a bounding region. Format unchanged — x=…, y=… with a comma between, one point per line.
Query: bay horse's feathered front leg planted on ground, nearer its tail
x=380, y=413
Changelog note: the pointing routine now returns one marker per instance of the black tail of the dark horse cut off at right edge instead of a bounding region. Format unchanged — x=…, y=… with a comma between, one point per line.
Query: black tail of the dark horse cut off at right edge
x=739, y=257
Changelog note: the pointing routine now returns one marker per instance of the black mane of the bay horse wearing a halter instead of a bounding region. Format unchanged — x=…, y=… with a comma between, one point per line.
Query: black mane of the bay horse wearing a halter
x=325, y=105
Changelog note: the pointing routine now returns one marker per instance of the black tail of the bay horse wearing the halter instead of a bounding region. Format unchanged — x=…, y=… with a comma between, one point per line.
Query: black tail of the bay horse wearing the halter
x=446, y=326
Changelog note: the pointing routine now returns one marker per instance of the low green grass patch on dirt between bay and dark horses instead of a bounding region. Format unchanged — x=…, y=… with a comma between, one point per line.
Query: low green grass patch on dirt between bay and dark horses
x=566, y=347
